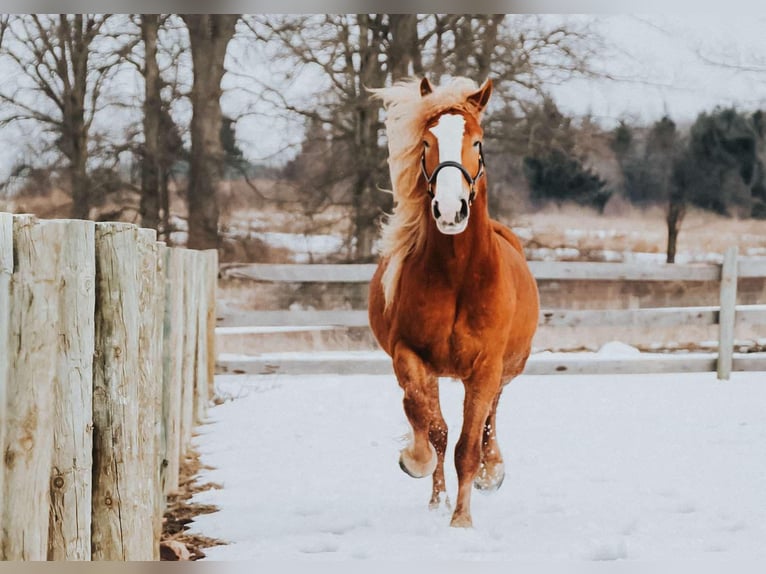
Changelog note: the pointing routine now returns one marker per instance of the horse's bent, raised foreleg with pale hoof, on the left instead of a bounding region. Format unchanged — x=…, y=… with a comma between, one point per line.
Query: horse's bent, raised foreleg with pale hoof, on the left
x=418, y=459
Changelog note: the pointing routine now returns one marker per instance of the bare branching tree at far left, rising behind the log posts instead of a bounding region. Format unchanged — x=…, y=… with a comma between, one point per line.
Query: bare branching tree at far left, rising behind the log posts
x=63, y=62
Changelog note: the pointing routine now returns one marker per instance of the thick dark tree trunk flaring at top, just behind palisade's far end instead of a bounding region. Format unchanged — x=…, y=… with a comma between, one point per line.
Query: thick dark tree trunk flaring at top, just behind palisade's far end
x=209, y=35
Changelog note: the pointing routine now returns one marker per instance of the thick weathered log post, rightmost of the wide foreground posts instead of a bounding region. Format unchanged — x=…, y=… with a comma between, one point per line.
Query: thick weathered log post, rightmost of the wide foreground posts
x=118, y=509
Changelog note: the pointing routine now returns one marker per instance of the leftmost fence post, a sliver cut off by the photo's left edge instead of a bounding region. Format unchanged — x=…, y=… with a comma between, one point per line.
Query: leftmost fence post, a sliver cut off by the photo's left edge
x=6, y=271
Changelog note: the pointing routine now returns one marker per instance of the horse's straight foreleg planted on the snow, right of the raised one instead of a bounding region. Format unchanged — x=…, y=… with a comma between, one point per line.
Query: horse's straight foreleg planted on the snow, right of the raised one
x=480, y=392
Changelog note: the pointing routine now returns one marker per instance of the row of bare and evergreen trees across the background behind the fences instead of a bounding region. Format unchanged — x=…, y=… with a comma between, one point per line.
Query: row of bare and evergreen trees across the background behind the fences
x=94, y=93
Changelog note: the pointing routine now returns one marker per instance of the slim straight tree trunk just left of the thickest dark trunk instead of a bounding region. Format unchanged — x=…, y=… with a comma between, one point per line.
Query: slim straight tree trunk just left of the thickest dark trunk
x=150, y=165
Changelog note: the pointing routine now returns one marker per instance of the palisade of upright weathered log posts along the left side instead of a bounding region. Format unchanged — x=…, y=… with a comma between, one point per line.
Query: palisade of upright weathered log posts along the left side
x=106, y=363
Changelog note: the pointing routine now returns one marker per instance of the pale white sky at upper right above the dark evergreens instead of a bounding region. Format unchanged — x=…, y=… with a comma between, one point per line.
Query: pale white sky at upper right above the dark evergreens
x=657, y=58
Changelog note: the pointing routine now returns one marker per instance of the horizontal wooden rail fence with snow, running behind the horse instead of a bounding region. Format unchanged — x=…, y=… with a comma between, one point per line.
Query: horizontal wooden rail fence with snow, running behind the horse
x=727, y=315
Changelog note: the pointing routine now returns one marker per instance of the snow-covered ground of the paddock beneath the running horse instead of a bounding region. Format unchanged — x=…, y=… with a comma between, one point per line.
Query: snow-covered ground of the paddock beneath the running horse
x=599, y=468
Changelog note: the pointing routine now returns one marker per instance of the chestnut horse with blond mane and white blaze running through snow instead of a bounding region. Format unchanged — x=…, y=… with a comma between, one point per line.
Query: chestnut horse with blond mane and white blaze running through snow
x=453, y=295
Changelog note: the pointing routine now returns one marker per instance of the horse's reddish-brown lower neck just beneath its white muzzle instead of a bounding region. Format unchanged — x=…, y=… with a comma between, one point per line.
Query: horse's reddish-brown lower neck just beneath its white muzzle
x=454, y=254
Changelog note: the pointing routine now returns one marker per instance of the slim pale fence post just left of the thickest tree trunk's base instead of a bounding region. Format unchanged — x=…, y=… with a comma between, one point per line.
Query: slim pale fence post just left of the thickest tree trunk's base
x=172, y=361
